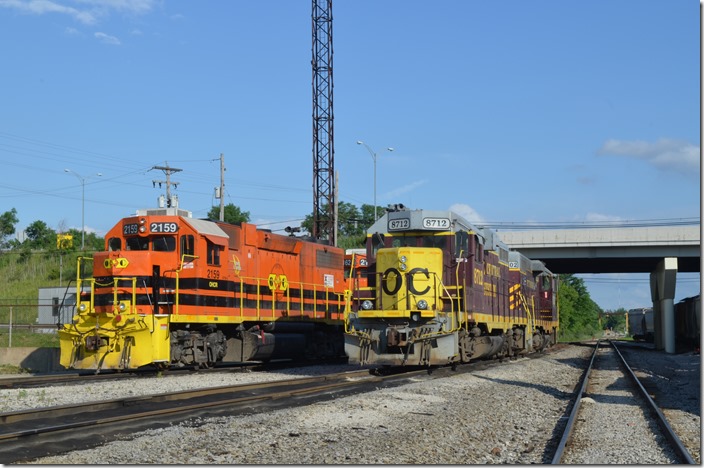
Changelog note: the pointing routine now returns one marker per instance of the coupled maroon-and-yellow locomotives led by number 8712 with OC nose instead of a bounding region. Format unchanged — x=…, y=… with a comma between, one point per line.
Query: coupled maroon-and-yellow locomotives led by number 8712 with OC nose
x=443, y=291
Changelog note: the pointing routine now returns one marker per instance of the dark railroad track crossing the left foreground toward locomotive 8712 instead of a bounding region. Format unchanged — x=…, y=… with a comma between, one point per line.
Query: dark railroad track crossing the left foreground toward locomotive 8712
x=26, y=435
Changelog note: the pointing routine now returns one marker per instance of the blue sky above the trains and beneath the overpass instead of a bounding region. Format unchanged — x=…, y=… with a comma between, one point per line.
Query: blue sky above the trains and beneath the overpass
x=512, y=112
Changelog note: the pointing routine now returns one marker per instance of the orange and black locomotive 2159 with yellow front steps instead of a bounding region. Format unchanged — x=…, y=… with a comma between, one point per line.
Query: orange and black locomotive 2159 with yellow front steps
x=172, y=290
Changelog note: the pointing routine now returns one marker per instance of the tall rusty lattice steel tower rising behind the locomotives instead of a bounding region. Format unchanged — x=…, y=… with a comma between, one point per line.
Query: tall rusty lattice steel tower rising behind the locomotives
x=323, y=148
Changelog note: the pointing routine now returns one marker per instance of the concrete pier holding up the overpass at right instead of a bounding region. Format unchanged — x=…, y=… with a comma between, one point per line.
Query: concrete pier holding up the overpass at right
x=662, y=291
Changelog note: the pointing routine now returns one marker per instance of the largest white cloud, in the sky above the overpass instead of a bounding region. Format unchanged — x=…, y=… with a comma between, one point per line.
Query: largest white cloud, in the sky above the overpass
x=666, y=154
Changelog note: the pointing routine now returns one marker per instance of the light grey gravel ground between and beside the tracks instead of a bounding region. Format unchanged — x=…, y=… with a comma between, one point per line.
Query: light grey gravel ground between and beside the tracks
x=504, y=414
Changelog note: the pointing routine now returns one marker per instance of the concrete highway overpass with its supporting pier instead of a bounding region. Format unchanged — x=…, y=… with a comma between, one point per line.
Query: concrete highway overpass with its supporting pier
x=661, y=251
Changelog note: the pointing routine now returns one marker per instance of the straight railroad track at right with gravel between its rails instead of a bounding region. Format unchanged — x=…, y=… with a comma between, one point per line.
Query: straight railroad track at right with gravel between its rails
x=611, y=409
